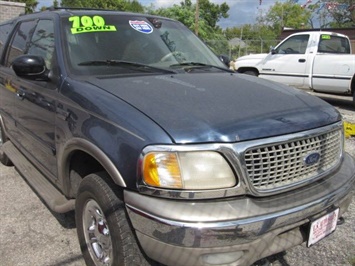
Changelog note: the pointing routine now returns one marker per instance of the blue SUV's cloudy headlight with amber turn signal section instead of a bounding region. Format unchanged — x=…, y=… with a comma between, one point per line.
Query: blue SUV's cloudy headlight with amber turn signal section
x=187, y=170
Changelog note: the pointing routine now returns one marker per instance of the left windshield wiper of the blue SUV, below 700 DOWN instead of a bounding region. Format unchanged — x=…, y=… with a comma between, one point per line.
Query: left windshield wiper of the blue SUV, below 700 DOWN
x=123, y=63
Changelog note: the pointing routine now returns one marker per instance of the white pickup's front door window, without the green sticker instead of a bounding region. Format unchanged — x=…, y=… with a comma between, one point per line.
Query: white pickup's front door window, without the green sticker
x=294, y=45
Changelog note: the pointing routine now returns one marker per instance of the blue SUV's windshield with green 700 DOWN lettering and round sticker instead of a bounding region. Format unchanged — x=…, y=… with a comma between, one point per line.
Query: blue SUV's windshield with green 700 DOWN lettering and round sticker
x=154, y=42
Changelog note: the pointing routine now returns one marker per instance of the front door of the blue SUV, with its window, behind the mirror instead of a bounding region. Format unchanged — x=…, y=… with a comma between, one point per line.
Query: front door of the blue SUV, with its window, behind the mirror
x=34, y=101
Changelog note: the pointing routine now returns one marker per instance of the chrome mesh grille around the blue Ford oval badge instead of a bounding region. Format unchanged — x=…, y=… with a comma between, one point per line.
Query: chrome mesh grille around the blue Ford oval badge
x=276, y=166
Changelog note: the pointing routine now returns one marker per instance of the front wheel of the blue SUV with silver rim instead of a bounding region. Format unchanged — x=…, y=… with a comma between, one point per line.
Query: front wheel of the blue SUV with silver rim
x=104, y=233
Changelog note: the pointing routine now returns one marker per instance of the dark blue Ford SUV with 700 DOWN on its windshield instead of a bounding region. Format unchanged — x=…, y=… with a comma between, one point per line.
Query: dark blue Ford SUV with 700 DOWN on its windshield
x=164, y=153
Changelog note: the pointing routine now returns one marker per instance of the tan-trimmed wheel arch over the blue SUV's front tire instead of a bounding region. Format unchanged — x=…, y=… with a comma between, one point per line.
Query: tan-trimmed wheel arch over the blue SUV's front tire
x=79, y=158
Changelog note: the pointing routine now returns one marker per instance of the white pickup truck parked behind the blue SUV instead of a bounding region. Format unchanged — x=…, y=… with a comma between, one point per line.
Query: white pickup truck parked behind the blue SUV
x=317, y=60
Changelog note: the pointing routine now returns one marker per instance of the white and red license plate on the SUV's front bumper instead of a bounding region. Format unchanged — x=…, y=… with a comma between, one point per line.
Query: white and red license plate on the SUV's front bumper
x=322, y=227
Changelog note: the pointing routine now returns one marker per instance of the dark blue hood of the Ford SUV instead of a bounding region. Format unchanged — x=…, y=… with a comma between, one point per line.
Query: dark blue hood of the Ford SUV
x=220, y=107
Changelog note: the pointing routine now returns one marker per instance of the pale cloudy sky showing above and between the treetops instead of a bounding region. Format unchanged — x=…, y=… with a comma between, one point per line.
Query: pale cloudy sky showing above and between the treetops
x=240, y=11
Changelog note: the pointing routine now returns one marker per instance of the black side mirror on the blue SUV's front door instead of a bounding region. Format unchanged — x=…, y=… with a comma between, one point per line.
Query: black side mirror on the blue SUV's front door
x=30, y=67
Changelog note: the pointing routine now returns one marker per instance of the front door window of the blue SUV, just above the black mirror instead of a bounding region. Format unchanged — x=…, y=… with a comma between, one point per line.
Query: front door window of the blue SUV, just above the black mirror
x=42, y=41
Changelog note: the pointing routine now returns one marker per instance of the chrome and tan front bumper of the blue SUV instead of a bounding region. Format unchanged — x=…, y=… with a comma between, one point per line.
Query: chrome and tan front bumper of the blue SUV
x=235, y=231
